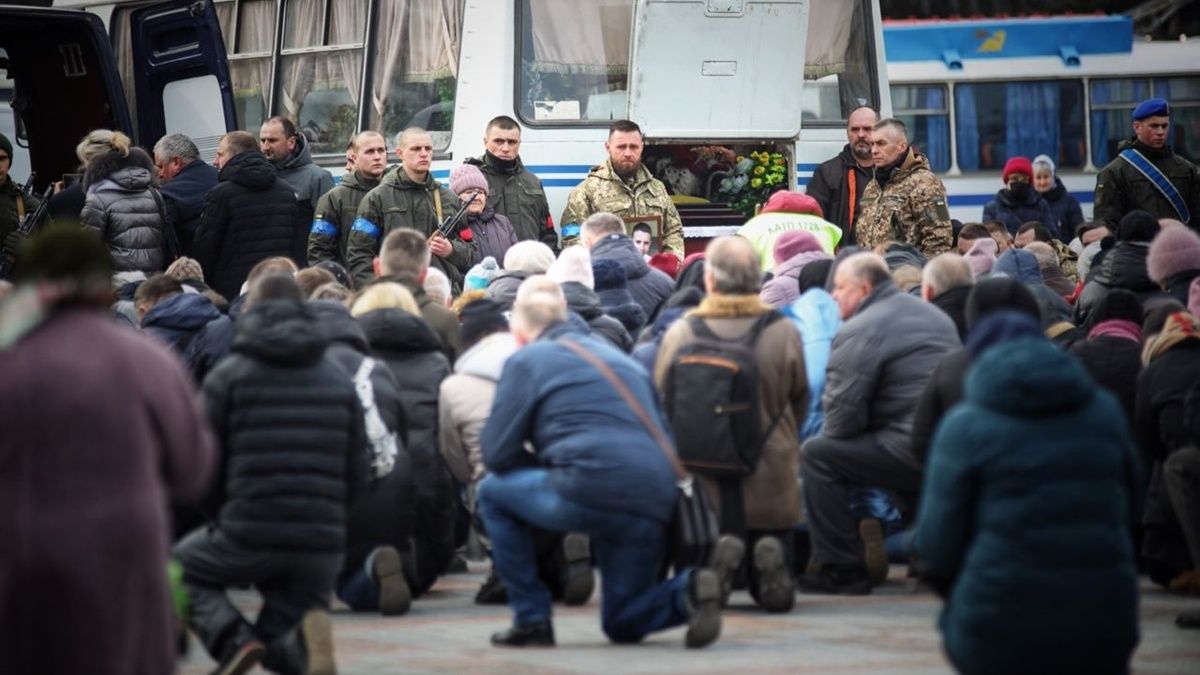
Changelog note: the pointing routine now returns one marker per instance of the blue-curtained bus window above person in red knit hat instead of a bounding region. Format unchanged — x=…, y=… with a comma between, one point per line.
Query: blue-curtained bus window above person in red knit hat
x=1000, y=121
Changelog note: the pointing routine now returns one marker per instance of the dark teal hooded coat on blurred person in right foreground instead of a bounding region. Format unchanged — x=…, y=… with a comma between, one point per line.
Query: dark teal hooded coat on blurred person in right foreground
x=1025, y=517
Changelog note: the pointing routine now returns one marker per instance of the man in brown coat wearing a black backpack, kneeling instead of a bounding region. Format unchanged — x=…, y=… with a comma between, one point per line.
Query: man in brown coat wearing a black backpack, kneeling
x=733, y=377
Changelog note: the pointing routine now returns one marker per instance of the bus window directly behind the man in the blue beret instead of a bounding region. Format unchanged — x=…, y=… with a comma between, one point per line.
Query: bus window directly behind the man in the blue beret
x=1113, y=101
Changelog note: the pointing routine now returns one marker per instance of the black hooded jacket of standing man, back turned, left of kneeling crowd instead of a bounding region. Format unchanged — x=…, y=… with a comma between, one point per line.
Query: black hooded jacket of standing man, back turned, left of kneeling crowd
x=249, y=217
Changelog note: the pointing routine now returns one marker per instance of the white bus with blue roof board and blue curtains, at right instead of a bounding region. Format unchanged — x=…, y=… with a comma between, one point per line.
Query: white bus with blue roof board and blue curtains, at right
x=977, y=93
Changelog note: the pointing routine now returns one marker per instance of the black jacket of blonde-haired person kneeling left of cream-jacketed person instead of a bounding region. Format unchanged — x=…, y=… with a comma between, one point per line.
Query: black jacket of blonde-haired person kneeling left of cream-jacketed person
x=413, y=353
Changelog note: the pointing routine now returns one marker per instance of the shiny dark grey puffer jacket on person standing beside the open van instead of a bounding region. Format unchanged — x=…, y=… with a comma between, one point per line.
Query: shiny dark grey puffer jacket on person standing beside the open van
x=122, y=208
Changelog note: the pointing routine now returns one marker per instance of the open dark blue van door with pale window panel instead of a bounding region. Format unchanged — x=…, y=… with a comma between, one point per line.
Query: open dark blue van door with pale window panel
x=181, y=73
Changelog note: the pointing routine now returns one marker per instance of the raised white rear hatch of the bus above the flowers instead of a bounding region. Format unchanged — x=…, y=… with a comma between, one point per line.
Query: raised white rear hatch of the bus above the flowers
x=718, y=69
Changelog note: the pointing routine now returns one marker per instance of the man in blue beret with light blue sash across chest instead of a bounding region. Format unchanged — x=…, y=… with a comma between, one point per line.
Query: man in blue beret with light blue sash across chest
x=1123, y=187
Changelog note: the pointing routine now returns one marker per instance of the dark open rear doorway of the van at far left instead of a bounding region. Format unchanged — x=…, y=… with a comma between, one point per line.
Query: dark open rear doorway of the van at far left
x=65, y=83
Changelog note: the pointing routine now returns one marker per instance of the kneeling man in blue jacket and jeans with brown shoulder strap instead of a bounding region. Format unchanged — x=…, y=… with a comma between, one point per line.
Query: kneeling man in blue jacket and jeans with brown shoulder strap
x=596, y=469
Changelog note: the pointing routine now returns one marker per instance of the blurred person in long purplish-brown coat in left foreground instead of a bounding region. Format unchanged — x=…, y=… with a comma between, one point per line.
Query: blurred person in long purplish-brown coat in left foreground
x=103, y=428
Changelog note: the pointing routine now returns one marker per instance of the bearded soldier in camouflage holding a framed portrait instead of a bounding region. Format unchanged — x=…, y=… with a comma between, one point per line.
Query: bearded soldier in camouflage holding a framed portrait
x=623, y=187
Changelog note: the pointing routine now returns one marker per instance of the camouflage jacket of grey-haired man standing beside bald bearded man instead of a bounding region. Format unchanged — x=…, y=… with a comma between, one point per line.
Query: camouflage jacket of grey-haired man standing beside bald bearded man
x=911, y=210
